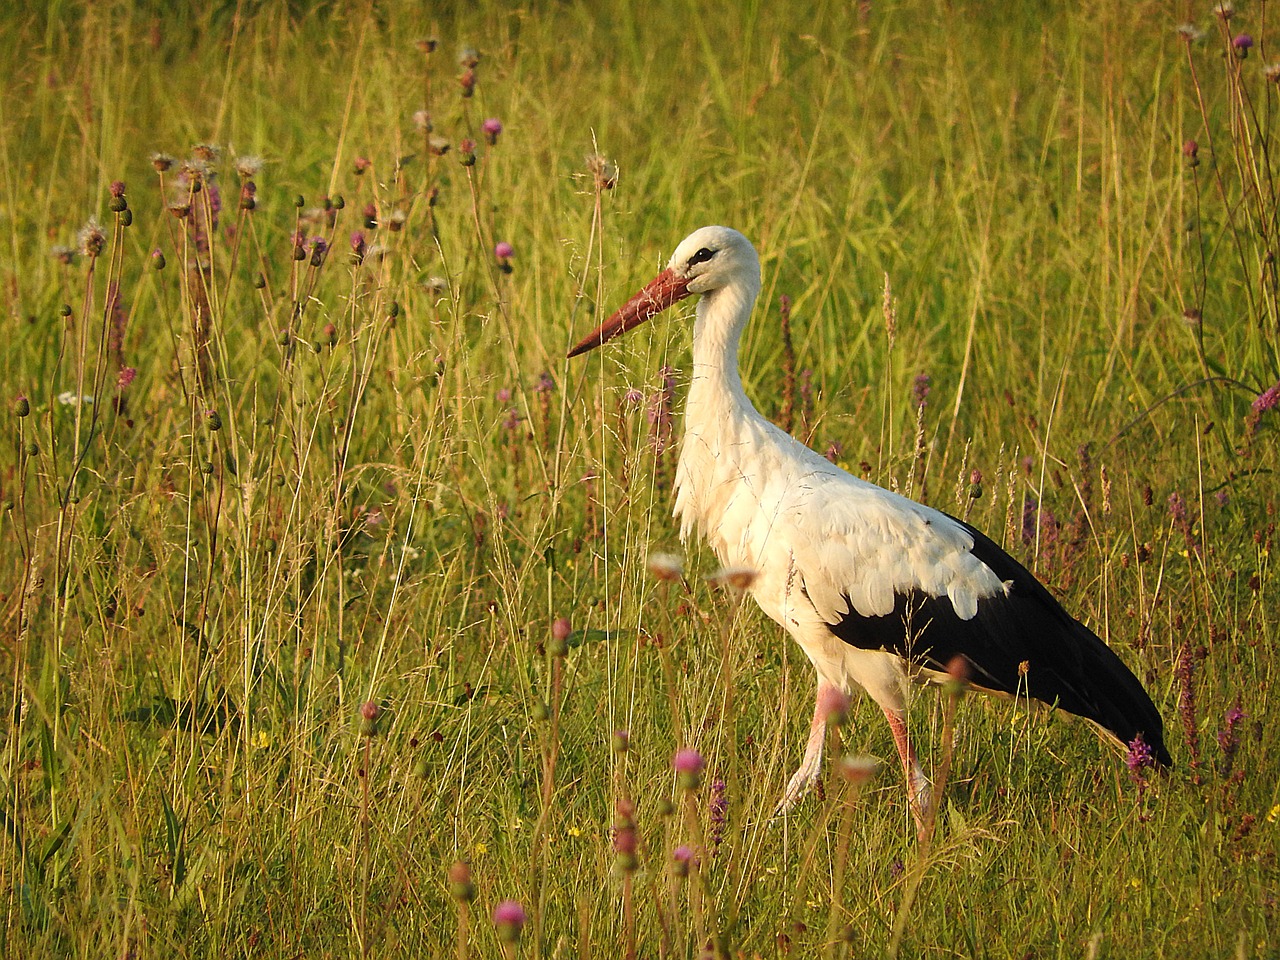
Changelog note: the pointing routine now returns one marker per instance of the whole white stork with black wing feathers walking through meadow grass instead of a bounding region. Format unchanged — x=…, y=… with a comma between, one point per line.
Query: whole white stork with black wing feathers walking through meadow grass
x=877, y=589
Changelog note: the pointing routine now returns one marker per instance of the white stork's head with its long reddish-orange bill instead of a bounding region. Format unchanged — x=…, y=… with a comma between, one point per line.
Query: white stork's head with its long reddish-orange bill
x=708, y=260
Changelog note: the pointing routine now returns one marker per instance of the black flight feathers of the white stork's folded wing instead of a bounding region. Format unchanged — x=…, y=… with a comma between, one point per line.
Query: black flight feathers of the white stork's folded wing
x=1068, y=665
